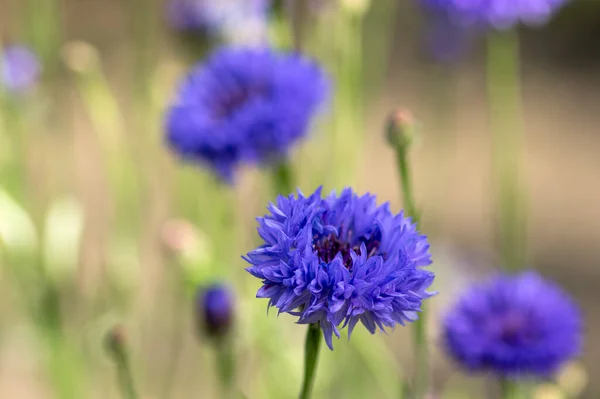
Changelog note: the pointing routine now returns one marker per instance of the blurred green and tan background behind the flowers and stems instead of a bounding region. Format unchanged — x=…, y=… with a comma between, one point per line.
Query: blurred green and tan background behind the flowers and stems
x=125, y=231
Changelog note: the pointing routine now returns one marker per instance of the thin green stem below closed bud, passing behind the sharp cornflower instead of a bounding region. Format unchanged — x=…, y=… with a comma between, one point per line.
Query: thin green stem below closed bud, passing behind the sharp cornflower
x=421, y=367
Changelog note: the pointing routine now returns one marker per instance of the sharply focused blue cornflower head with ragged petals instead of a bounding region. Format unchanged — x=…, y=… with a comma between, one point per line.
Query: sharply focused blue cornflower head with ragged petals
x=341, y=259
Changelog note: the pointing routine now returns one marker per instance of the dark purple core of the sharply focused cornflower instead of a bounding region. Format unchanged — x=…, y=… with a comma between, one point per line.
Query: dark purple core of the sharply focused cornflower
x=328, y=247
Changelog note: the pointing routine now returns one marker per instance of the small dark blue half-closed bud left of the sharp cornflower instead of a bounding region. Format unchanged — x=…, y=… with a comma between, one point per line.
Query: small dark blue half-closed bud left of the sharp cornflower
x=215, y=310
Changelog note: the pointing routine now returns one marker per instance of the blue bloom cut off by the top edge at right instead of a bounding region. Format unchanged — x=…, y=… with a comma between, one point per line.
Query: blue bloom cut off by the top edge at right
x=499, y=14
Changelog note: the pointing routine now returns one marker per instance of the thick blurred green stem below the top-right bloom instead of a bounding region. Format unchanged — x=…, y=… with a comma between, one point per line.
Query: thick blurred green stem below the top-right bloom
x=504, y=103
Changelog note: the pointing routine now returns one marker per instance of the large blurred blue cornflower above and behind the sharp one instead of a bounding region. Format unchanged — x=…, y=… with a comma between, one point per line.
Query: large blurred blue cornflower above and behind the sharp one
x=244, y=106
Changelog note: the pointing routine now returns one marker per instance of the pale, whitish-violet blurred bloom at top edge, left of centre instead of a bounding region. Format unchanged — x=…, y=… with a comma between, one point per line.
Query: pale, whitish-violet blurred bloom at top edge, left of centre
x=236, y=21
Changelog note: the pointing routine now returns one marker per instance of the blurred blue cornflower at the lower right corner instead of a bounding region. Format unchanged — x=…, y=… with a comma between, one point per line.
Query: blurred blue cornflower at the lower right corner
x=514, y=326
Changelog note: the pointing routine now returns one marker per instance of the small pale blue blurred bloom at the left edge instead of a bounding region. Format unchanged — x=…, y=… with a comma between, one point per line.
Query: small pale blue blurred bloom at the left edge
x=20, y=69
